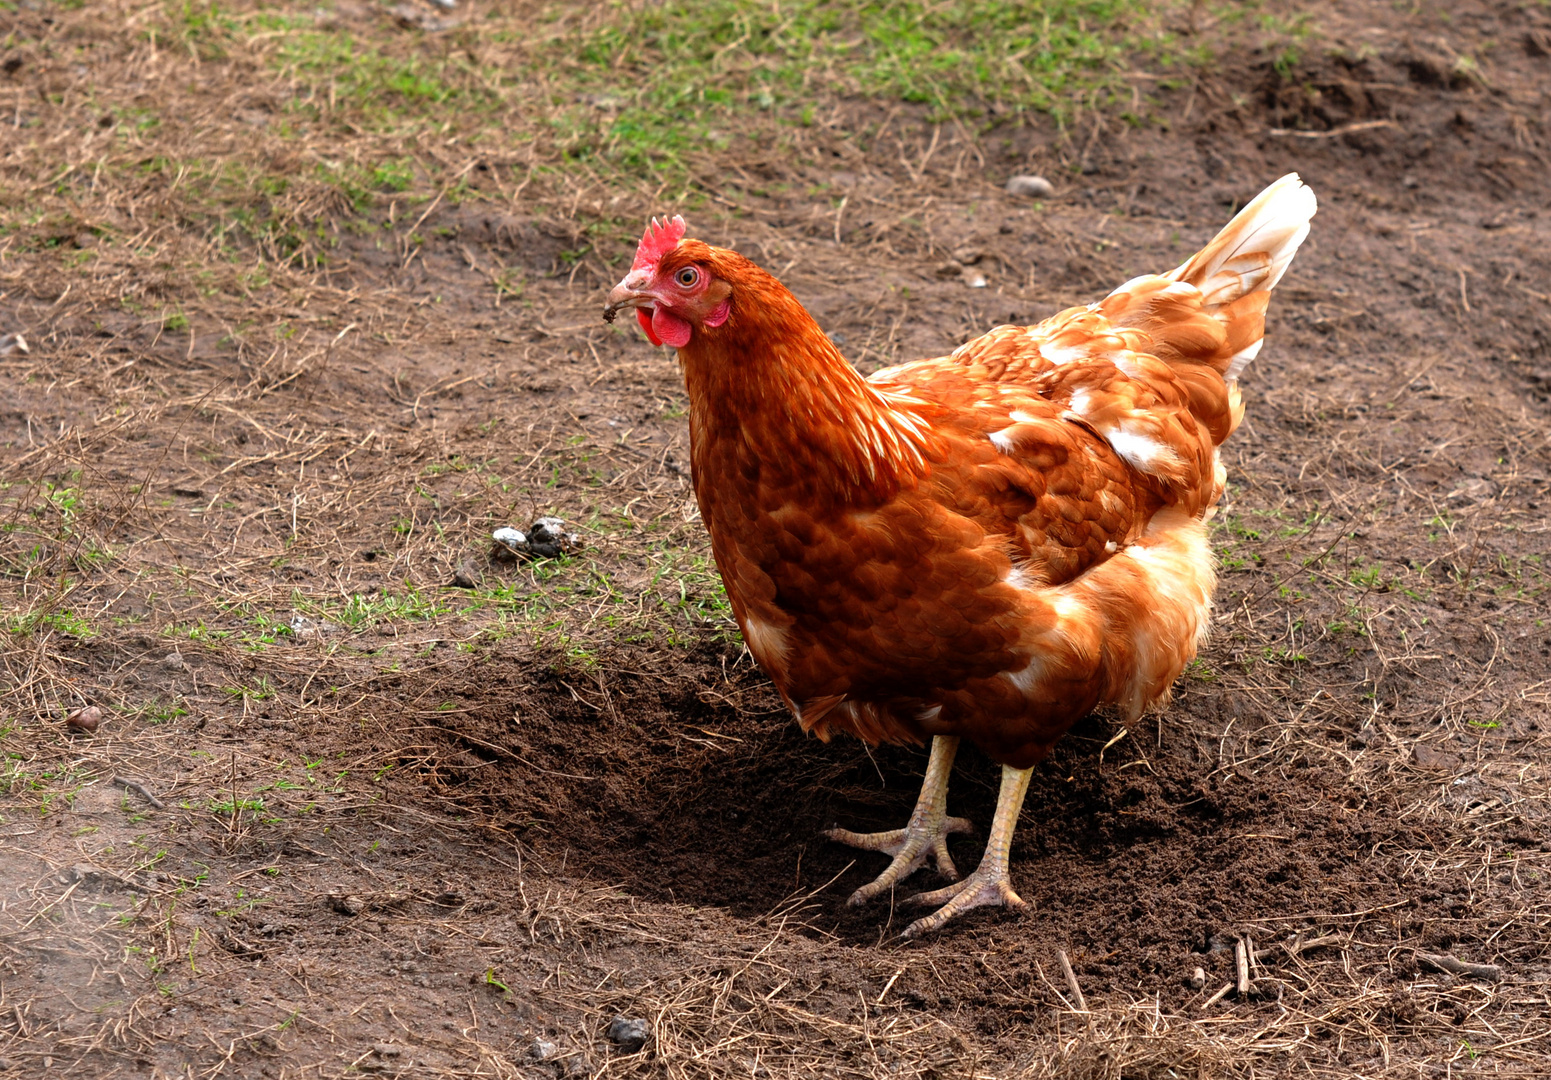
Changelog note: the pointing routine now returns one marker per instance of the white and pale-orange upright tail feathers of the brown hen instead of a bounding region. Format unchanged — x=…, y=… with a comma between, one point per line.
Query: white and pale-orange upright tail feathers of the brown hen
x=1256, y=249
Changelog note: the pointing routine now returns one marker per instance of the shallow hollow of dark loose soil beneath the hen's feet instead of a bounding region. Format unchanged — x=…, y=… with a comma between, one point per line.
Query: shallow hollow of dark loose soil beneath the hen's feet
x=697, y=787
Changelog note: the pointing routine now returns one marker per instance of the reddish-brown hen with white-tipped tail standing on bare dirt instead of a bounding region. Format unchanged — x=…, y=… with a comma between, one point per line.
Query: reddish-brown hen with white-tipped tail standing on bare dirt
x=981, y=547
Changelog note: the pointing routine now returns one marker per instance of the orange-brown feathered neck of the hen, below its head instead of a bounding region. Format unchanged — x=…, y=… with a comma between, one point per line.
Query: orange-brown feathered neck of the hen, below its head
x=772, y=396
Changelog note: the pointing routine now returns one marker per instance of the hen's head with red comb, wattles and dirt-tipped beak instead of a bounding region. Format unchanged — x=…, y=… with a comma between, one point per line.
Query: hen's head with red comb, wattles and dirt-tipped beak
x=679, y=288
